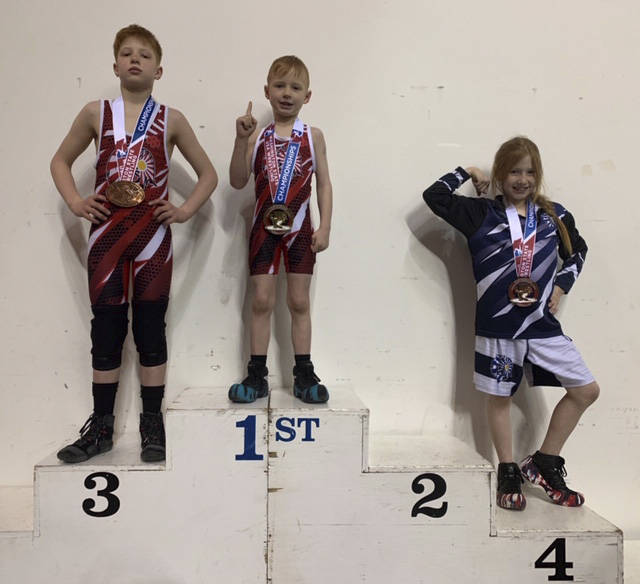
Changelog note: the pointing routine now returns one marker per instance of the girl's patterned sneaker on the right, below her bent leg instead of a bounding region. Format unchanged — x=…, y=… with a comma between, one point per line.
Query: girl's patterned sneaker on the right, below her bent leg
x=547, y=471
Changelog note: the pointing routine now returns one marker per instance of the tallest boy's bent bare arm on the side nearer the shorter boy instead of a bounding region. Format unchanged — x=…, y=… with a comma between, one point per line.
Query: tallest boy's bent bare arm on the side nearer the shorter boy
x=182, y=135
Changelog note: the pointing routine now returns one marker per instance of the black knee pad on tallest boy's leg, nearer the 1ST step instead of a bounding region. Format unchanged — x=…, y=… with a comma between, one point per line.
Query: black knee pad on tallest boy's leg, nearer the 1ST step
x=148, y=332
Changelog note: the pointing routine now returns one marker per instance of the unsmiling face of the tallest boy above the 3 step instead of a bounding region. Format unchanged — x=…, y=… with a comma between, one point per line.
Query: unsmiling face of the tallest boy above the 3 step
x=136, y=64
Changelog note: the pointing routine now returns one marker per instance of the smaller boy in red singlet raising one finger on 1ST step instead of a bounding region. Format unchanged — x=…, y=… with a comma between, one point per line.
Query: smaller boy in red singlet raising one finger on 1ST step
x=283, y=157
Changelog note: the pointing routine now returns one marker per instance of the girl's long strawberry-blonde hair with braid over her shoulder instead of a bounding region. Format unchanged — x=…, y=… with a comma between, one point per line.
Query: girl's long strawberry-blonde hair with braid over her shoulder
x=507, y=156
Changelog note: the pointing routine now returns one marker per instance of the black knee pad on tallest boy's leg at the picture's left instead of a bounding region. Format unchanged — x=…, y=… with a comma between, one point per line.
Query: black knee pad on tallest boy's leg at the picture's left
x=108, y=332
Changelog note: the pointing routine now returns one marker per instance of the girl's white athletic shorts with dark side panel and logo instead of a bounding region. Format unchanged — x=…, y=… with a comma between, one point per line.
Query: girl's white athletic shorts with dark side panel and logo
x=550, y=361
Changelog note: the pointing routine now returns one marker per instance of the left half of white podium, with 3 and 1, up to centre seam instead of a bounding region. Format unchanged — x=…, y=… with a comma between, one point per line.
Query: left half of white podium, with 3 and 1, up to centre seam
x=202, y=518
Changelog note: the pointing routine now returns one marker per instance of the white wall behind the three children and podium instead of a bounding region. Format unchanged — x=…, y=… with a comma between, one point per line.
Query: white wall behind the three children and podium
x=403, y=91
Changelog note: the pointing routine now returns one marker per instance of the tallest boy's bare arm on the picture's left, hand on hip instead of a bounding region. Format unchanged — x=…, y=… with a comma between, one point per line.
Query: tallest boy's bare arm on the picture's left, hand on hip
x=84, y=129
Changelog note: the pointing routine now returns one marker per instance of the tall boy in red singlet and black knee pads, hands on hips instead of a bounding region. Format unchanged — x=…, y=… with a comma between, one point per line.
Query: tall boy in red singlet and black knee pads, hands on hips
x=130, y=234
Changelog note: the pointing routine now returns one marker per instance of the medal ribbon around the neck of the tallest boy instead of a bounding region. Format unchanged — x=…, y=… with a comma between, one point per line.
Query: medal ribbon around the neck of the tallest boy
x=127, y=158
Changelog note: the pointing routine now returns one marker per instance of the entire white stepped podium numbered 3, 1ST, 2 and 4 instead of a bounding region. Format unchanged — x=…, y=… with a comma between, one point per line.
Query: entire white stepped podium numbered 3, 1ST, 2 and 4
x=291, y=493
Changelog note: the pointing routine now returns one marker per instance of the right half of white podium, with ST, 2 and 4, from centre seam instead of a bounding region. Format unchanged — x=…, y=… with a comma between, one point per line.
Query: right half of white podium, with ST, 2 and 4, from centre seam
x=346, y=507
